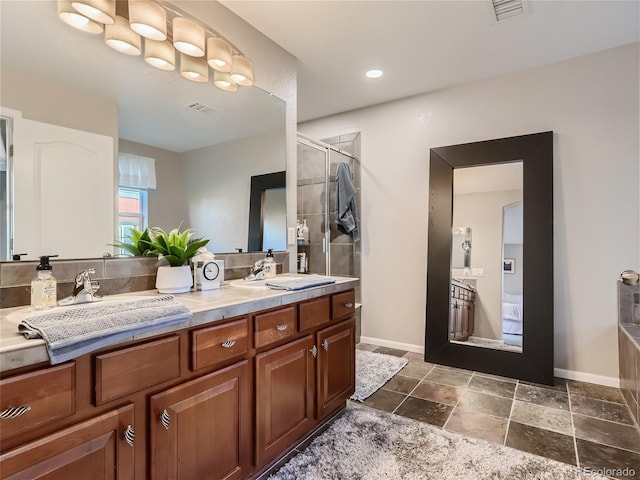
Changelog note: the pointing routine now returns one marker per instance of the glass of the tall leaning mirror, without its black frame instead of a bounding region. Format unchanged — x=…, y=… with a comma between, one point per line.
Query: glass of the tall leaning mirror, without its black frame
x=485, y=295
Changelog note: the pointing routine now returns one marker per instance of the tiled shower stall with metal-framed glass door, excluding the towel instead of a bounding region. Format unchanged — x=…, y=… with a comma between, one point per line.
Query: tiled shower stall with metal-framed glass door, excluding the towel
x=327, y=251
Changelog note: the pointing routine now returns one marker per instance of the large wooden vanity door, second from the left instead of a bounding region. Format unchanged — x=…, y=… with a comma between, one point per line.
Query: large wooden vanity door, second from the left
x=201, y=430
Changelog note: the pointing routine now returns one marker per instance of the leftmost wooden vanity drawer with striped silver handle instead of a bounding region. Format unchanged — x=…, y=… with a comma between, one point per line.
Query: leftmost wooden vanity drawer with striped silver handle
x=32, y=399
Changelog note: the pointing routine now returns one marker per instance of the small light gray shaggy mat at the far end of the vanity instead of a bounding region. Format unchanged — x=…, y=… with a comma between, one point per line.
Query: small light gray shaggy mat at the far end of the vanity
x=373, y=370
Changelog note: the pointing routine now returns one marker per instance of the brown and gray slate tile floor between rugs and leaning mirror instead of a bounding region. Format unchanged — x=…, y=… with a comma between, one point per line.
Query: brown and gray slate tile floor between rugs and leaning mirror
x=578, y=423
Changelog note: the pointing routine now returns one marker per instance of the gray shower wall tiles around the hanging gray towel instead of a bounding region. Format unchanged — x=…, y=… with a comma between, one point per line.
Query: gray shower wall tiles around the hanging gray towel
x=345, y=254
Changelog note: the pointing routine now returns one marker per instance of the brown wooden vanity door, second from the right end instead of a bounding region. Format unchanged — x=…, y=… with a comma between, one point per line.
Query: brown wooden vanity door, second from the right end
x=285, y=391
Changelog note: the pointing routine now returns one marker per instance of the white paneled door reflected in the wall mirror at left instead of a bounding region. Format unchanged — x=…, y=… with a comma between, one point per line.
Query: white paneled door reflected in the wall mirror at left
x=64, y=193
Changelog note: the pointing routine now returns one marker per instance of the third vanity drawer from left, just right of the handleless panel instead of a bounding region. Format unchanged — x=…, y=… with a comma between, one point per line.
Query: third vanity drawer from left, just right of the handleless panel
x=219, y=343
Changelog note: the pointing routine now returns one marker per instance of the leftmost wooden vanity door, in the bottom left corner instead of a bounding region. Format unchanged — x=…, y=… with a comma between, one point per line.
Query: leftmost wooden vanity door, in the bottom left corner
x=95, y=449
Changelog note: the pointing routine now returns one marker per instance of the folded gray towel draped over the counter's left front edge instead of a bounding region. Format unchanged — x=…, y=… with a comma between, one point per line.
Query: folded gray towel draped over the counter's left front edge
x=73, y=331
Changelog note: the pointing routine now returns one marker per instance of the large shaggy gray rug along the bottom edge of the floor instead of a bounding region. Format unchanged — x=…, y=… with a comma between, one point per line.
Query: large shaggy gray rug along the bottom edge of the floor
x=370, y=444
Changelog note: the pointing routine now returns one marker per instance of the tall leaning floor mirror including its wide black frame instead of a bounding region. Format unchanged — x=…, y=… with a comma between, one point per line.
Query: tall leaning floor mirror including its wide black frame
x=490, y=257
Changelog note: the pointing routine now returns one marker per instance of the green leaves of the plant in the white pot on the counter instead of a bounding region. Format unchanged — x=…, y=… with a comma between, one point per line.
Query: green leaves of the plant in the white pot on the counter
x=175, y=247
